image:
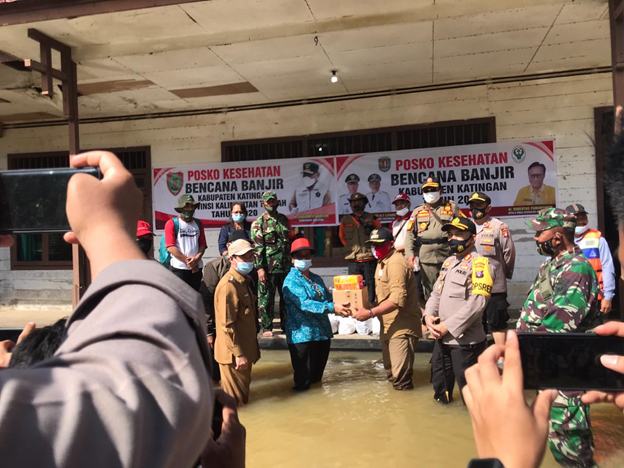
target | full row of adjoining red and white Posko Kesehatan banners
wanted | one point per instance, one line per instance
(519, 177)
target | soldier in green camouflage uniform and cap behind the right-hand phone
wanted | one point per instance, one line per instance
(562, 300)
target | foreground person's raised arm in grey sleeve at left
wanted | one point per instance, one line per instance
(130, 375)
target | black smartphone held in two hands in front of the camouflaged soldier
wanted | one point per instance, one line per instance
(569, 361)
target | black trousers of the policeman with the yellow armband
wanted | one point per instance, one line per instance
(449, 363)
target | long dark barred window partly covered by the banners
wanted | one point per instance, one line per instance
(325, 240)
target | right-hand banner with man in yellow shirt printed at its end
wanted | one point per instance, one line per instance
(501, 170)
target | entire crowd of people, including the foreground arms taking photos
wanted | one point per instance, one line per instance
(124, 382)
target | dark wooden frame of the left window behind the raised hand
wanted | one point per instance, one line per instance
(46, 265)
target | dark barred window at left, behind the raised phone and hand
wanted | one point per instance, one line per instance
(48, 251)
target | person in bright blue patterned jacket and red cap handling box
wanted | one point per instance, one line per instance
(308, 331)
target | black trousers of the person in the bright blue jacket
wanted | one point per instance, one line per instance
(308, 360)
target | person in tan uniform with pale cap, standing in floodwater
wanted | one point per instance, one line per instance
(236, 345)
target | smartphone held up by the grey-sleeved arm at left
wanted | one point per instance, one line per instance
(33, 200)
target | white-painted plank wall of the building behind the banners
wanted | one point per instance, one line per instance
(560, 108)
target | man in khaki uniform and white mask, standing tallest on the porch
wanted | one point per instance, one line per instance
(424, 239)
